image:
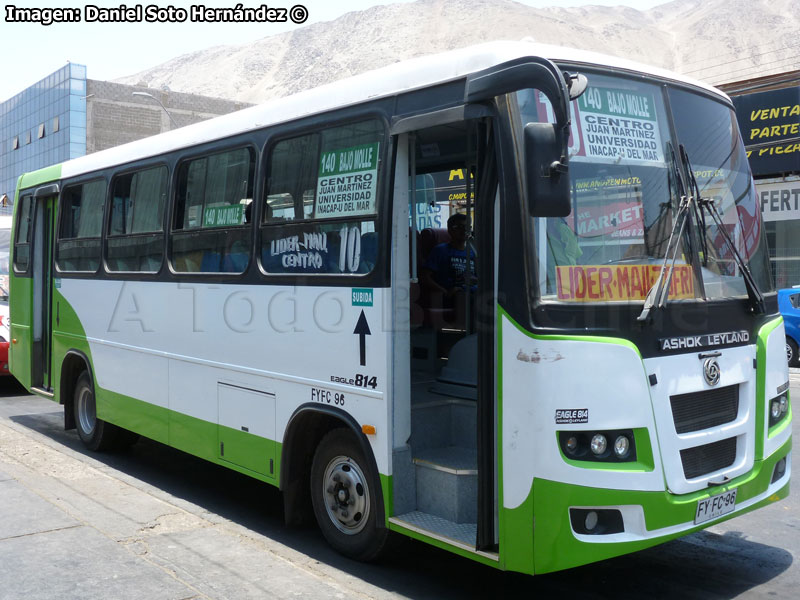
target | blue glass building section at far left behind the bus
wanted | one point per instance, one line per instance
(43, 125)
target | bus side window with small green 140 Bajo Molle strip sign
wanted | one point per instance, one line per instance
(211, 231)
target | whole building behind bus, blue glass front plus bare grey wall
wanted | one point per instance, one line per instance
(66, 115)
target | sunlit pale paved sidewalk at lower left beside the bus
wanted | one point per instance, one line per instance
(72, 526)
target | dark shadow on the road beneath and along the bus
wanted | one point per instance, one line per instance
(703, 565)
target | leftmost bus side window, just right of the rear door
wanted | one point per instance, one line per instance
(78, 245)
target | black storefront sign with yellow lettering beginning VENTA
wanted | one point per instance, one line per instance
(770, 126)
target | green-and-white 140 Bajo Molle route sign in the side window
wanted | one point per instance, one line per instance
(347, 182)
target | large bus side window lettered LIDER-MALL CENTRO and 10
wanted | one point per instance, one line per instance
(321, 202)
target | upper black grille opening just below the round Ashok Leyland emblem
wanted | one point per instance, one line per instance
(708, 408)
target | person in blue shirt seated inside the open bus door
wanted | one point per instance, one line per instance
(444, 269)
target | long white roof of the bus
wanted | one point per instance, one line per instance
(384, 82)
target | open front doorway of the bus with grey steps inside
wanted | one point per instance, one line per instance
(445, 405)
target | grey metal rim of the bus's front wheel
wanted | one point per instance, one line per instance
(346, 495)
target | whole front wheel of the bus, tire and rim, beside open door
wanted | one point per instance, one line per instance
(346, 497)
